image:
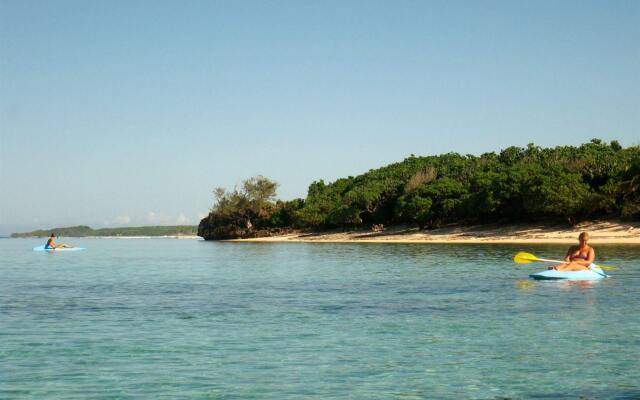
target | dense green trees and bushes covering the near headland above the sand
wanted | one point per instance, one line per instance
(565, 183)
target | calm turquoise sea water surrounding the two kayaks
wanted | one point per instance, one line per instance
(162, 318)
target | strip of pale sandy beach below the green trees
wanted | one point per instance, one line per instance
(602, 232)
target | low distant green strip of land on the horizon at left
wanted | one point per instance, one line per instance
(86, 231)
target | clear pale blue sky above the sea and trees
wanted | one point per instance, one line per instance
(127, 113)
